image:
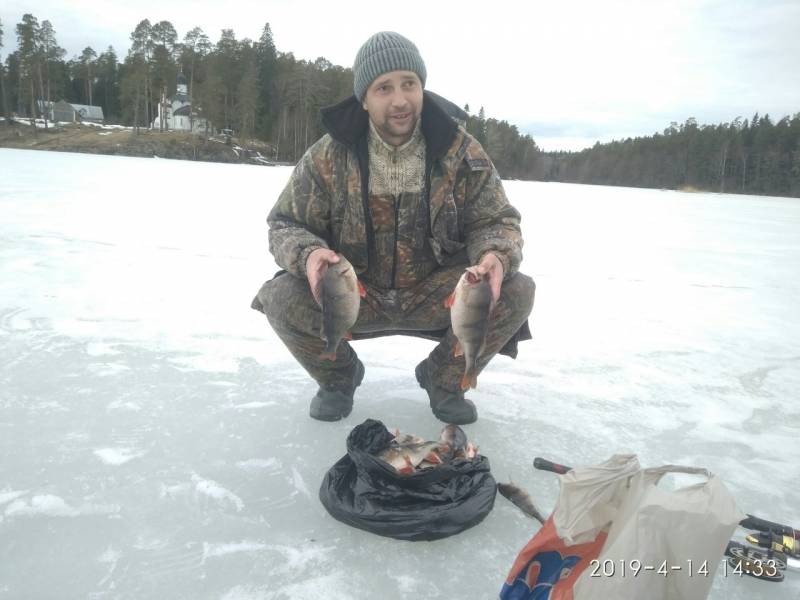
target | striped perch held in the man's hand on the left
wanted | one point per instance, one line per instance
(340, 295)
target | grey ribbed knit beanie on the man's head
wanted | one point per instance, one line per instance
(384, 52)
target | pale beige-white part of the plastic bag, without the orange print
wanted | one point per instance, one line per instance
(661, 544)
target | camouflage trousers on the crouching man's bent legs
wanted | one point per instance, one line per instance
(296, 318)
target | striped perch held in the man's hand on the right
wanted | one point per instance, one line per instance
(471, 305)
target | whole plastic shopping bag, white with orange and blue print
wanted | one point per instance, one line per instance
(615, 533)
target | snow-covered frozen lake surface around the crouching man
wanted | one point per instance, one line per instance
(154, 432)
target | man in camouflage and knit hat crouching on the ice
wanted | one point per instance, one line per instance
(411, 200)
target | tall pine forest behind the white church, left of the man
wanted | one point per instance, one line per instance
(244, 85)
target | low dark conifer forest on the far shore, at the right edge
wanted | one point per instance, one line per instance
(755, 156)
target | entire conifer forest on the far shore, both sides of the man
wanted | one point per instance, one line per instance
(251, 87)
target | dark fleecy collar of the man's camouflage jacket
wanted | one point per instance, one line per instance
(347, 122)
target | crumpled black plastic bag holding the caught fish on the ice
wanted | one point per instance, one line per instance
(365, 492)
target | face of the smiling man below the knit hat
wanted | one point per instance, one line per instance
(394, 104)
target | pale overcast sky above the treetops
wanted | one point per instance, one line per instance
(569, 73)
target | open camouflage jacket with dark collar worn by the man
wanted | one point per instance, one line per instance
(326, 202)
